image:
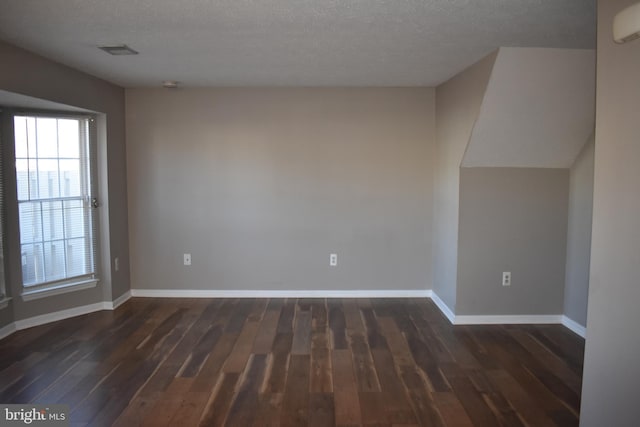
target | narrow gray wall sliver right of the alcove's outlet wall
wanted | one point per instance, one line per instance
(576, 290)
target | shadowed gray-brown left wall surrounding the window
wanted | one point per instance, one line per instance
(28, 74)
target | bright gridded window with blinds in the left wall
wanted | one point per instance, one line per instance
(56, 199)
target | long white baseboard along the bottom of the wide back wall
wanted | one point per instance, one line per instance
(206, 293)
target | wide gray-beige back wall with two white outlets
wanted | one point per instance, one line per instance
(261, 185)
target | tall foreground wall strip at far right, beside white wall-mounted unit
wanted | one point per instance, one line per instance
(611, 368)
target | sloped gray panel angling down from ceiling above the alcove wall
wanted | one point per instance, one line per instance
(538, 110)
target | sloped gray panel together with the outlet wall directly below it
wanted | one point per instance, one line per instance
(536, 115)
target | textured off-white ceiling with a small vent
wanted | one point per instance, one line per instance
(289, 42)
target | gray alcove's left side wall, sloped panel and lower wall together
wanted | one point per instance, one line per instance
(508, 130)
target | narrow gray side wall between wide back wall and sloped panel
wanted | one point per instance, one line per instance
(458, 104)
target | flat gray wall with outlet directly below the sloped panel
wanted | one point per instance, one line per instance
(512, 219)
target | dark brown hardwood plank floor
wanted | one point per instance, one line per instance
(316, 362)
